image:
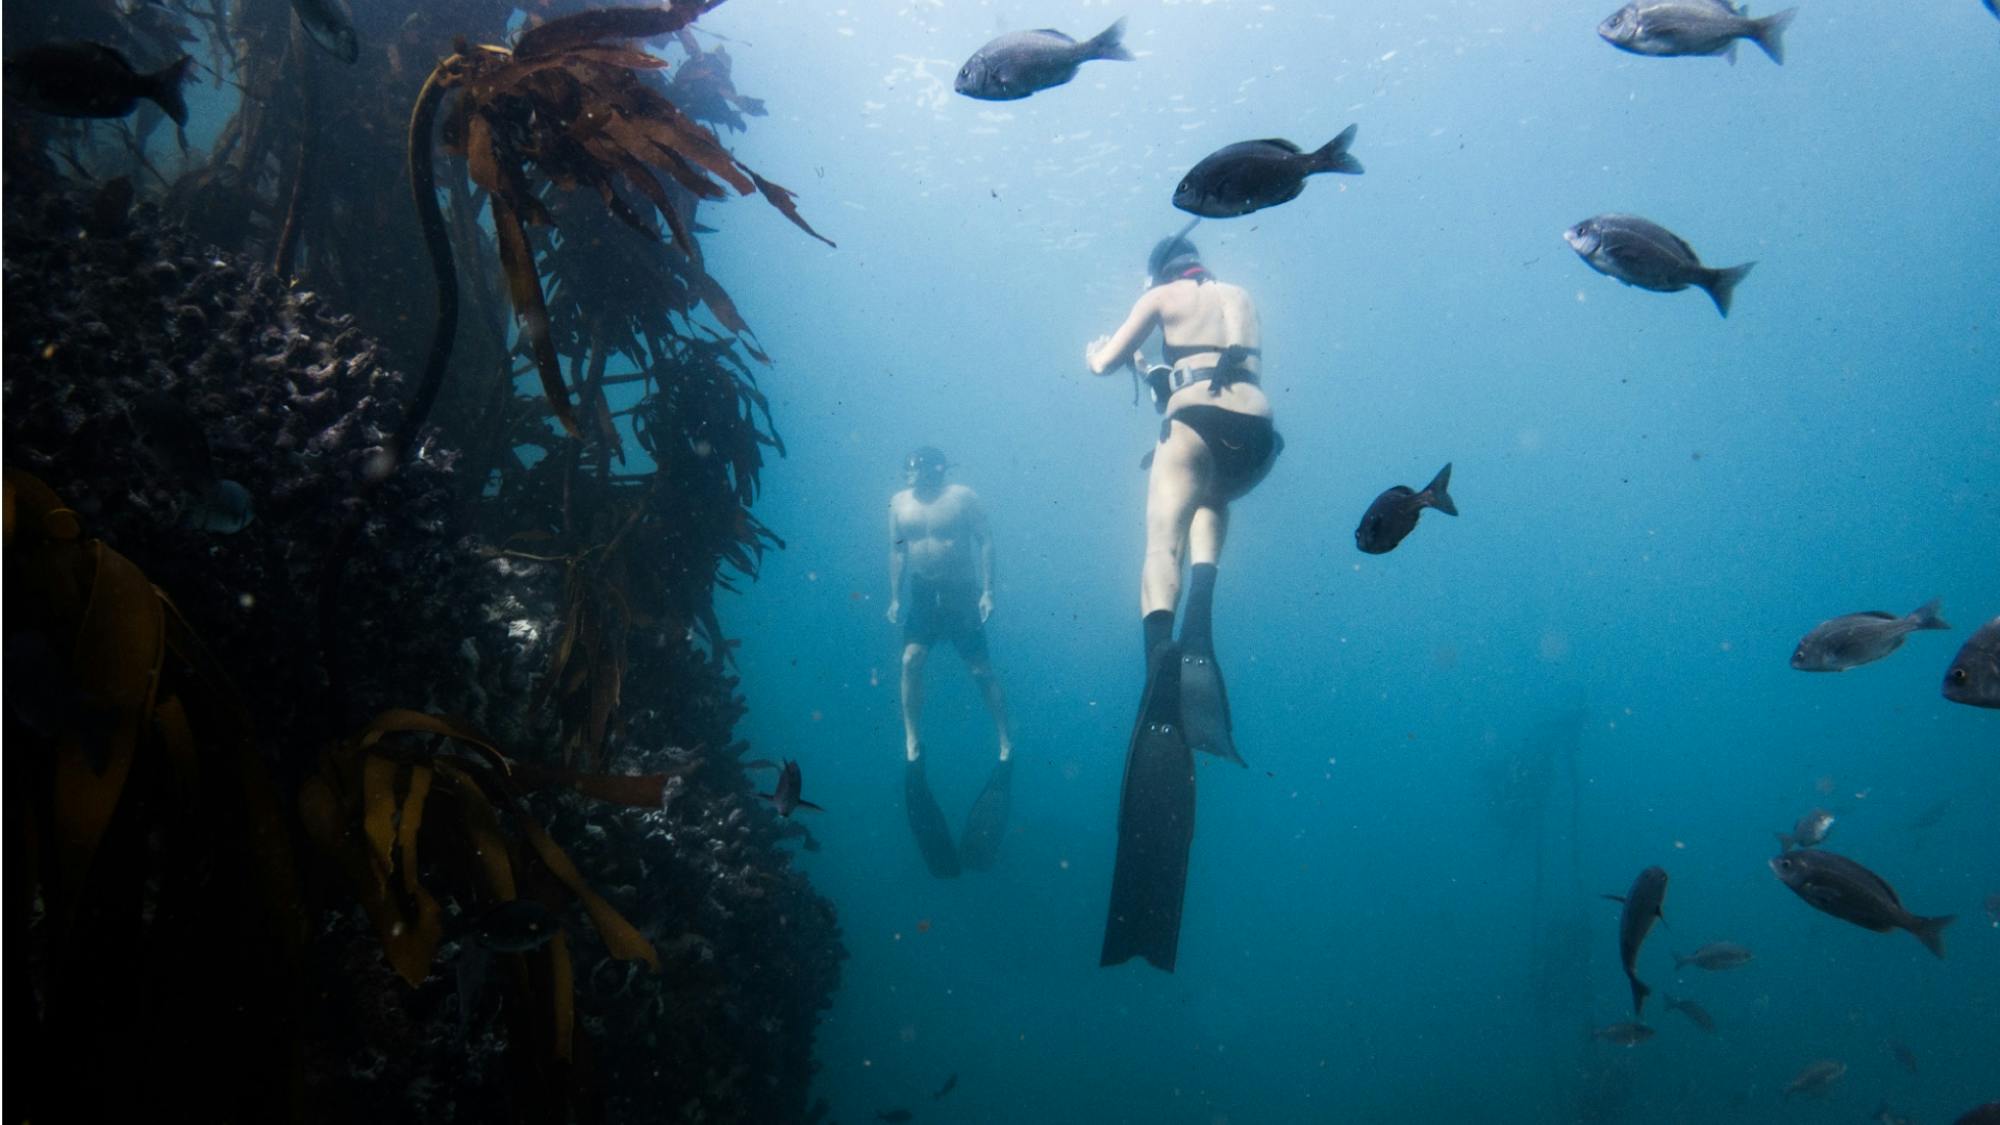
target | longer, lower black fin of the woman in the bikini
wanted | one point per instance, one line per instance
(1155, 828)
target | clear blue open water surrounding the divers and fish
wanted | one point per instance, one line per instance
(1657, 505)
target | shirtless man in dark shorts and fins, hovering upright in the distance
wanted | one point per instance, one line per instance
(941, 588)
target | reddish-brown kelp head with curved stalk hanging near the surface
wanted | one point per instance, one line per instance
(571, 105)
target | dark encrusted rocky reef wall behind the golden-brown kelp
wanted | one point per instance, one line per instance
(217, 425)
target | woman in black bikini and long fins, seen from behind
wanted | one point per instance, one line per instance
(1217, 443)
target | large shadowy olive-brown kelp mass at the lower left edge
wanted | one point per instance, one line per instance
(159, 892)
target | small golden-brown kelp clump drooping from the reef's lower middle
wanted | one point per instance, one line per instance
(367, 810)
